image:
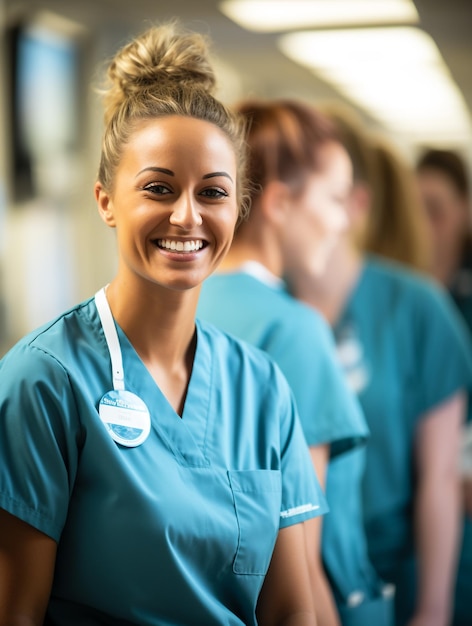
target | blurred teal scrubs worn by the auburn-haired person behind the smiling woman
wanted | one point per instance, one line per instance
(254, 305)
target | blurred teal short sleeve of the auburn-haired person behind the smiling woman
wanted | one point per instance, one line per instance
(329, 412)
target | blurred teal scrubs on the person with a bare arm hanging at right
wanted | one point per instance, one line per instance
(404, 351)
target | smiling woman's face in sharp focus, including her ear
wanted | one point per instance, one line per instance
(174, 201)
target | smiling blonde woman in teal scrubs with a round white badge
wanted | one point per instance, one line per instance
(154, 469)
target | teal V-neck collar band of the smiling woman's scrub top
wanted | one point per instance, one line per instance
(187, 435)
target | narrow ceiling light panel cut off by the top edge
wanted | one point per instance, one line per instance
(275, 15)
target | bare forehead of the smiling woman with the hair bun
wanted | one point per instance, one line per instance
(177, 140)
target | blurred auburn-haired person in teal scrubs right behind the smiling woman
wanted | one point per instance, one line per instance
(300, 178)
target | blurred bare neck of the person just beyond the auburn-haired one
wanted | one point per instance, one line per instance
(329, 292)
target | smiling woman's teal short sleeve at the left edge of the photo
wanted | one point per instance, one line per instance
(39, 439)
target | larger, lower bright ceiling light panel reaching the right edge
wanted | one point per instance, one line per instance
(396, 74)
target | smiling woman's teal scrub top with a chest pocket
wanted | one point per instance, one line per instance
(178, 530)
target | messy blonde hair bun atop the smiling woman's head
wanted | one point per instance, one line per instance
(161, 56)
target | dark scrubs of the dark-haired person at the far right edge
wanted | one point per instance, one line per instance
(461, 292)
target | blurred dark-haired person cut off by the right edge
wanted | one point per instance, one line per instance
(444, 186)
